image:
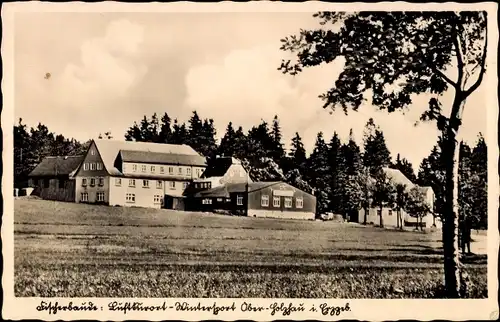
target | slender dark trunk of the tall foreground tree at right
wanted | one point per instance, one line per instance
(450, 224)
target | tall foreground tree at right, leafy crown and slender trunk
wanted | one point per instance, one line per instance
(411, 52)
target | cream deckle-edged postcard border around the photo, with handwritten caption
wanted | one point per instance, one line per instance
(372, 310)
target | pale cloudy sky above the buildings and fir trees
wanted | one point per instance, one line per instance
(108, 70)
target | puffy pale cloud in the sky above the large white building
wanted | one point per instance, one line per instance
(108, 66)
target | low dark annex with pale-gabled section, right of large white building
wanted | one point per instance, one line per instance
(226, 186)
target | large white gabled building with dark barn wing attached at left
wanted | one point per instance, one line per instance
(130, 174)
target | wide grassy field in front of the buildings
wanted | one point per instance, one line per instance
(74, 250)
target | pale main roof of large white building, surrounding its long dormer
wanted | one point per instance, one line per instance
(109, 150)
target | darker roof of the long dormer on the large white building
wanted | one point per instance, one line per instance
(162, 158)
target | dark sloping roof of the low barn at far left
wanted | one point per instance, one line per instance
(57, 166)
